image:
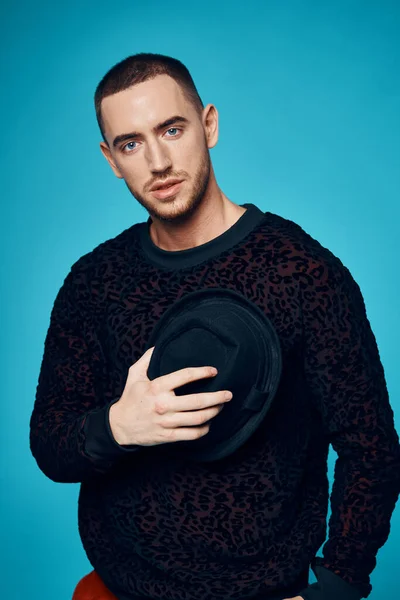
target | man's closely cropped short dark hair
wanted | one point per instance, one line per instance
(141, 67)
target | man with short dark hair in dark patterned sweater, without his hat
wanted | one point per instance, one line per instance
(249, 525)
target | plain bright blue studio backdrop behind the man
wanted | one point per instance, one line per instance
(308, 96)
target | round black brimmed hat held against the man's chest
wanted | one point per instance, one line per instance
(221, 328)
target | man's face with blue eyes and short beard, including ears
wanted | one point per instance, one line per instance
(148, 144)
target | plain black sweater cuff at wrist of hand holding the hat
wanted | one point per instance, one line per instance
(100, 443)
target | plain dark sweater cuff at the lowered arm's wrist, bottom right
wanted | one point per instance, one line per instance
(329, 586)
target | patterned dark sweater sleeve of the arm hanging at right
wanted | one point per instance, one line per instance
(347, 385)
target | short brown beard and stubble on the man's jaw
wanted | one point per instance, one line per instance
(187, 207)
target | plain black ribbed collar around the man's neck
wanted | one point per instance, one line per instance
(179, 259)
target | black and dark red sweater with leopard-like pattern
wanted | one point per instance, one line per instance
(158, 526)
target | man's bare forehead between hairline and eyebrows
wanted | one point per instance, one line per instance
(144, 105)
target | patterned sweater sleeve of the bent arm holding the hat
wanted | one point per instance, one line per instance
(70, 434)
